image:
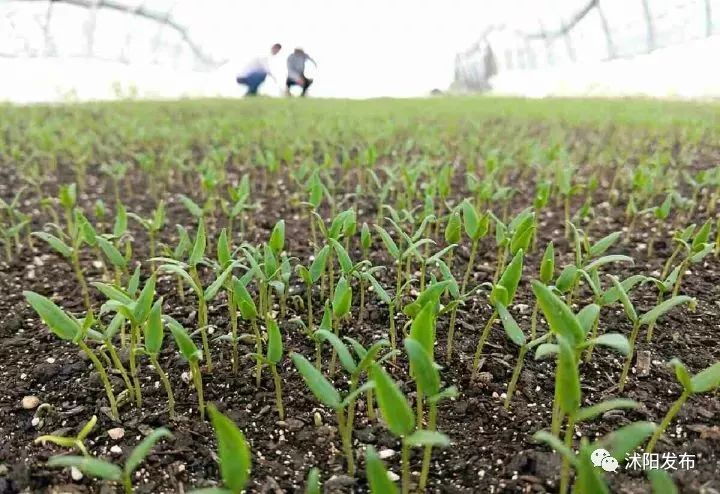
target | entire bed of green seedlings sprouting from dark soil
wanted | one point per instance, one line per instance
(459, 295)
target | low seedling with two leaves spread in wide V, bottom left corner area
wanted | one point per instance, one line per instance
(102, 469)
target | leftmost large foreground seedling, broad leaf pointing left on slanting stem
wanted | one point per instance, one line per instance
(67, 327)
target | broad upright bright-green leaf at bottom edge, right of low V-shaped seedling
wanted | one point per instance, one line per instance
(233, 453)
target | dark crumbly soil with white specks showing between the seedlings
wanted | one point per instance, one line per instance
(492, 449)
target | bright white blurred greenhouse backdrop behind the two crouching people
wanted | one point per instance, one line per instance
(69, 50)
